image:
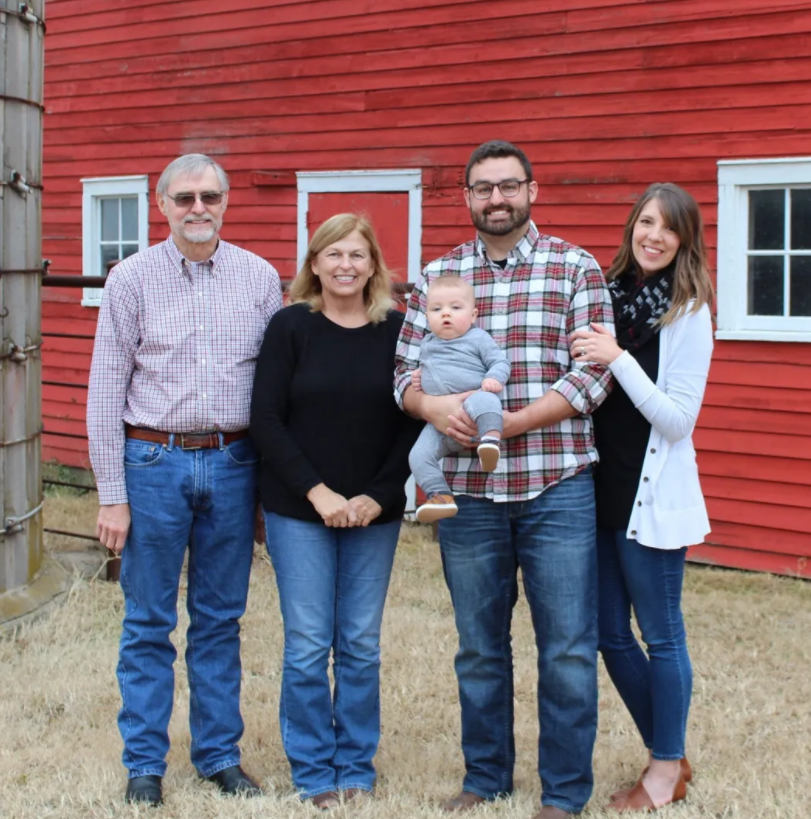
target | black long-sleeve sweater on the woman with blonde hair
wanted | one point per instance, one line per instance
(323, 411)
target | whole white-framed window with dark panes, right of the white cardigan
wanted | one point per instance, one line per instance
(764, 249)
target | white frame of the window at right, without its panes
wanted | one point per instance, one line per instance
(735, 179)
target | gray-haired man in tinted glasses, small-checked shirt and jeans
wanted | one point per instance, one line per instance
(168, 409)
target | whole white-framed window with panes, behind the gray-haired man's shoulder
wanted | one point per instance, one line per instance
(115, 212)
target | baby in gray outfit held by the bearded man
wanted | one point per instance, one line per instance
(456, 357)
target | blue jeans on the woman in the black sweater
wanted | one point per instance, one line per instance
(332, 589)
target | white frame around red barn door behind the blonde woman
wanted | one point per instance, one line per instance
(397, 181)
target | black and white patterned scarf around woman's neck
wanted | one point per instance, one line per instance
(638, 305)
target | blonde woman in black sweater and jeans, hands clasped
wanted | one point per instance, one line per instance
(334, 449)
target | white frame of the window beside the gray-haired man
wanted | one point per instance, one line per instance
(93, 191)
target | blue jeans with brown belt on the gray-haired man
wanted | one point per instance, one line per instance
(205, 500)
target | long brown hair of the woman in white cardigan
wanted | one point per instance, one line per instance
(681, 214)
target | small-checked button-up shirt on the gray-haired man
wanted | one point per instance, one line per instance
(176, 347)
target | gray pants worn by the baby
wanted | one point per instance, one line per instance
(425, 456)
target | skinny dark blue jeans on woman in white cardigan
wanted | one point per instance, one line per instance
(656, 687)
